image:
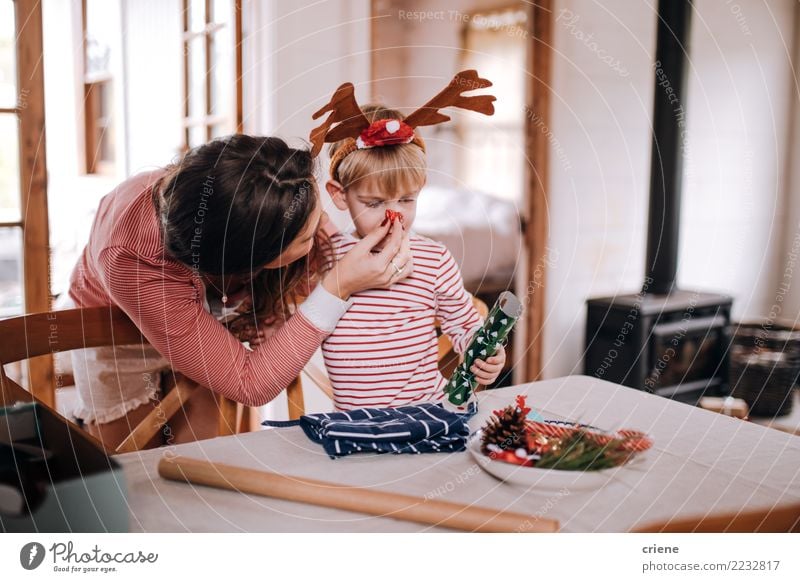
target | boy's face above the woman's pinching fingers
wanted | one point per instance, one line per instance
(367, 204)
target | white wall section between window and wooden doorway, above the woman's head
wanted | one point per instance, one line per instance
(300, 52)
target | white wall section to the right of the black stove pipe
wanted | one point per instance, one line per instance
(734, 215)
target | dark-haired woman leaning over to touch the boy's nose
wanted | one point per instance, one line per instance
(233, 224)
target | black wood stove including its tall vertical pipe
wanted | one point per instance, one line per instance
(665, 340)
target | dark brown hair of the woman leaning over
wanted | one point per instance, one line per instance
(235, 204)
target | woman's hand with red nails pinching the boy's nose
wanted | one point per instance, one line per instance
(360, 269)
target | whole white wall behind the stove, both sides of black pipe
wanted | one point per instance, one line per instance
(734, 190)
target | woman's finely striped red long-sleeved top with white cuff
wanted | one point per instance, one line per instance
(125, 264)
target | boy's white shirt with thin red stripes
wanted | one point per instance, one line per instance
(384, 350)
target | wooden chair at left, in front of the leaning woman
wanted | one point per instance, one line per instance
(41, 334)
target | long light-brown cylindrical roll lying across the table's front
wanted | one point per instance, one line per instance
(358, 499)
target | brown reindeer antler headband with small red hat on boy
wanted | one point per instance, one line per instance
(354, 126)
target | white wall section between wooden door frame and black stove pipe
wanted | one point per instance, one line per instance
(600, 115)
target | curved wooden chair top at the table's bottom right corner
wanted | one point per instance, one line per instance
(775, 520)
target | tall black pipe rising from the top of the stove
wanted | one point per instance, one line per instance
(666, 166)
